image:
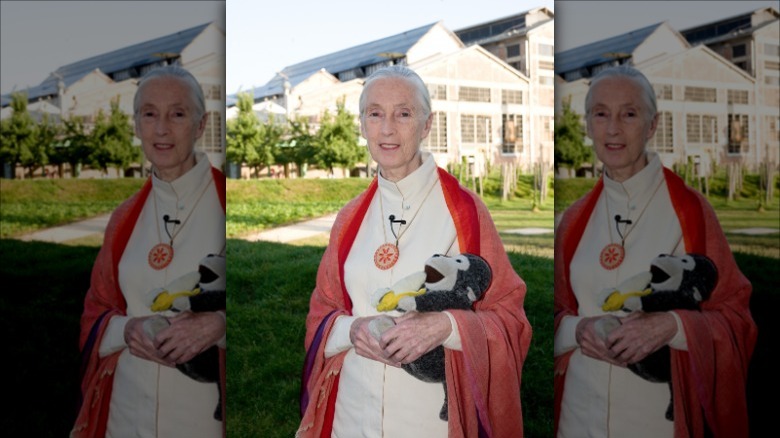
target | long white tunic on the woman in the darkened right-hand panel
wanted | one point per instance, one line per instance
(602, 400)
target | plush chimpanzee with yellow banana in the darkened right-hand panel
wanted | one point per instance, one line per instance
(673, 282)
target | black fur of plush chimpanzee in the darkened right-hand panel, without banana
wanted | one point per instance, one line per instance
(693, 278)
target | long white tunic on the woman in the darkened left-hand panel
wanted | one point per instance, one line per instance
(150, 400)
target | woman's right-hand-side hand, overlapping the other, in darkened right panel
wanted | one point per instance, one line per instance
(641, 334)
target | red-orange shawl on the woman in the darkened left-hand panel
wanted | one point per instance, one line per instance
(104, 299)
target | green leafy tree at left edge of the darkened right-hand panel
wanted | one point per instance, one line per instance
(570, 149)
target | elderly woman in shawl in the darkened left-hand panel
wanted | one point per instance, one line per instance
(130, 385)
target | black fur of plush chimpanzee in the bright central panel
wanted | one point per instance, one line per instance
(468, 287)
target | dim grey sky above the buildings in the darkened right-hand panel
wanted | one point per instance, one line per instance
(578, 23)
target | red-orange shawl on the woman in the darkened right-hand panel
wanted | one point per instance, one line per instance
(709, 379)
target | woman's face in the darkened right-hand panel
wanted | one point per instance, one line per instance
(620, 125)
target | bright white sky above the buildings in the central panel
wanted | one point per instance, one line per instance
(266, 36)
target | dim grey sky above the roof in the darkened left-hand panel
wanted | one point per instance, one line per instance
(37, 37)
